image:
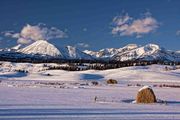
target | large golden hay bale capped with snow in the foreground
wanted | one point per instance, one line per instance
(146, 95)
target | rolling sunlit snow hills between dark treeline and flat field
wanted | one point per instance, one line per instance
(152, 73)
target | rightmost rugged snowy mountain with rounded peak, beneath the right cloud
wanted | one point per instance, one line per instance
(147, 52)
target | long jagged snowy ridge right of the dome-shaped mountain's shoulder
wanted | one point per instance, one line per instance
(135, 52)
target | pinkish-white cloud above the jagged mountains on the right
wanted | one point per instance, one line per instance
(125, 25)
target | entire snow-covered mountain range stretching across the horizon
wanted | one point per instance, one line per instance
(129, 52)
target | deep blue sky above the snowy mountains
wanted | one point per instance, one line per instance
(89, 23)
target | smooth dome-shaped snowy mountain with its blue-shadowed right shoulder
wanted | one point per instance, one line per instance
(44, 48)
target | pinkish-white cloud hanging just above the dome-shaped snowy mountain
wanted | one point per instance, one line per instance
(31, 33)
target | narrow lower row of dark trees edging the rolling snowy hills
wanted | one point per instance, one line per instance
(77, 66)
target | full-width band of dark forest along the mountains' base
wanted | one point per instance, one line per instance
(75, 65)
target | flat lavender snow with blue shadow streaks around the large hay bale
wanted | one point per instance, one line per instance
(78, 103)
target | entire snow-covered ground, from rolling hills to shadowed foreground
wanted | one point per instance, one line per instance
(71, 95)
